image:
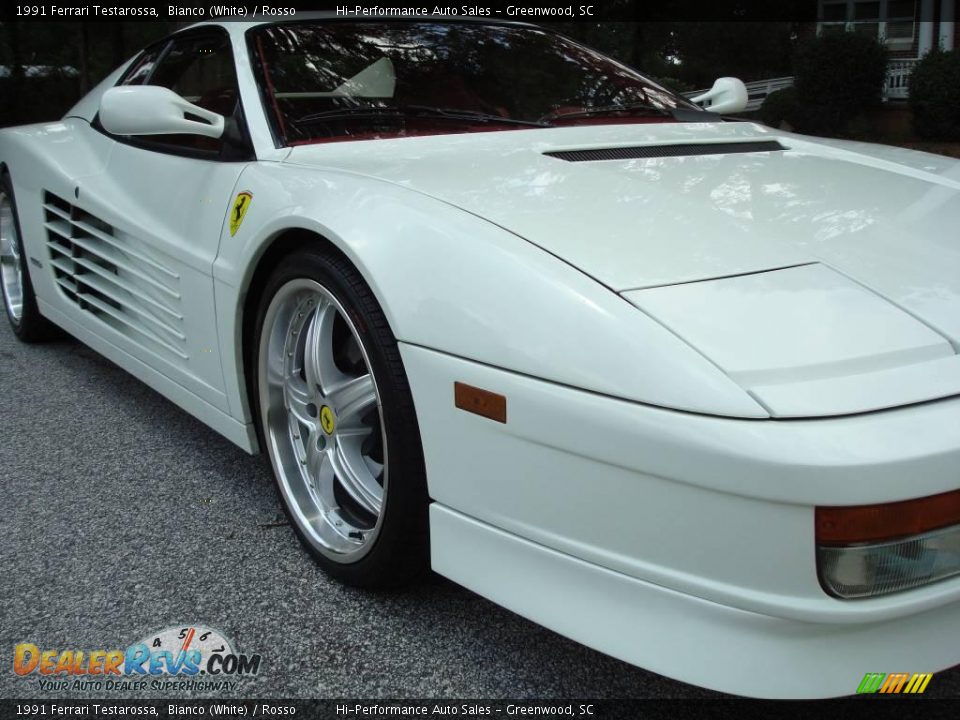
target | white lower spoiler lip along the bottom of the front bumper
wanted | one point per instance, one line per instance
(679, 635)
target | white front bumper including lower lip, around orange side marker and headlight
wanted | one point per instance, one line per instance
(713, 516)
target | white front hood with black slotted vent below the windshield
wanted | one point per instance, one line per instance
(706, 201)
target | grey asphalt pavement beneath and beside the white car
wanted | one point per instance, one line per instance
(122, 515)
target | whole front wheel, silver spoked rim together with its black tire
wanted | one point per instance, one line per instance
(337, 421)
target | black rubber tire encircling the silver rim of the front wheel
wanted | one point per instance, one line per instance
(400, 550)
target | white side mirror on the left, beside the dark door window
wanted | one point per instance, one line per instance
(155, 110)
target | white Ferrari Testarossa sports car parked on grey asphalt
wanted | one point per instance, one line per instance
(682, 388)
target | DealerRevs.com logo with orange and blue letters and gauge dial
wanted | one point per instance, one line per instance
(187, 657)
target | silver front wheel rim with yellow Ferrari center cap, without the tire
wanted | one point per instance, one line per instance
(323, 420)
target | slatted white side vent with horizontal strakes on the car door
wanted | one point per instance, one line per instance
(114, 277)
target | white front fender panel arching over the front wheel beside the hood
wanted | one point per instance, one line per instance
(453, 282)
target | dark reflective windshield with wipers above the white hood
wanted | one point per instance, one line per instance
(357, 80)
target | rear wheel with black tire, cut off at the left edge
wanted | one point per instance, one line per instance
(18, 298)
